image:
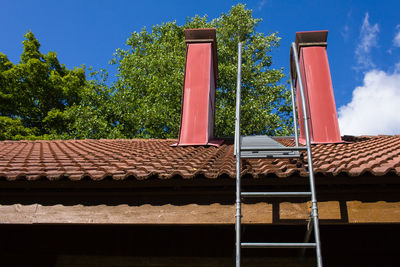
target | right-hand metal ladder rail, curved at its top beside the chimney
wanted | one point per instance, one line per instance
(314, 207)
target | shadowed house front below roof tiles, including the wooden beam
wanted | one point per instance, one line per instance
(191, 223)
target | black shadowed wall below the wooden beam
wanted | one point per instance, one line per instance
(202, 245)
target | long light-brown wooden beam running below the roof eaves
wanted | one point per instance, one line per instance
(331, 212)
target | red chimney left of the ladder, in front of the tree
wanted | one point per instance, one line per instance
(198, 99)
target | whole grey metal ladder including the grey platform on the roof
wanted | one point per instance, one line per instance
(266, 147)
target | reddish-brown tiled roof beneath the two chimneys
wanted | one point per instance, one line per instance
(141, 159)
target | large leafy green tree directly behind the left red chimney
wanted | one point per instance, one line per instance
(151, 70)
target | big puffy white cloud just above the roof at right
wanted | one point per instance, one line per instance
(375, 106)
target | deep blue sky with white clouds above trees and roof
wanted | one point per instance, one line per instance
(363, 42)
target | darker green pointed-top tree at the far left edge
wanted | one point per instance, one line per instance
(36, 92)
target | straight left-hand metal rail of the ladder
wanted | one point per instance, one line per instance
(237, 153)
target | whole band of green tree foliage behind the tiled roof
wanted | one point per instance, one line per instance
(41, 98)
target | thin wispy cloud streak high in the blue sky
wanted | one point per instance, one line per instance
(368, 40)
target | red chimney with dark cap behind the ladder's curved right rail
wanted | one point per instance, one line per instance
(317, 84)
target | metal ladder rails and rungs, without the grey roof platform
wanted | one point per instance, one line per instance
(237, 152)
